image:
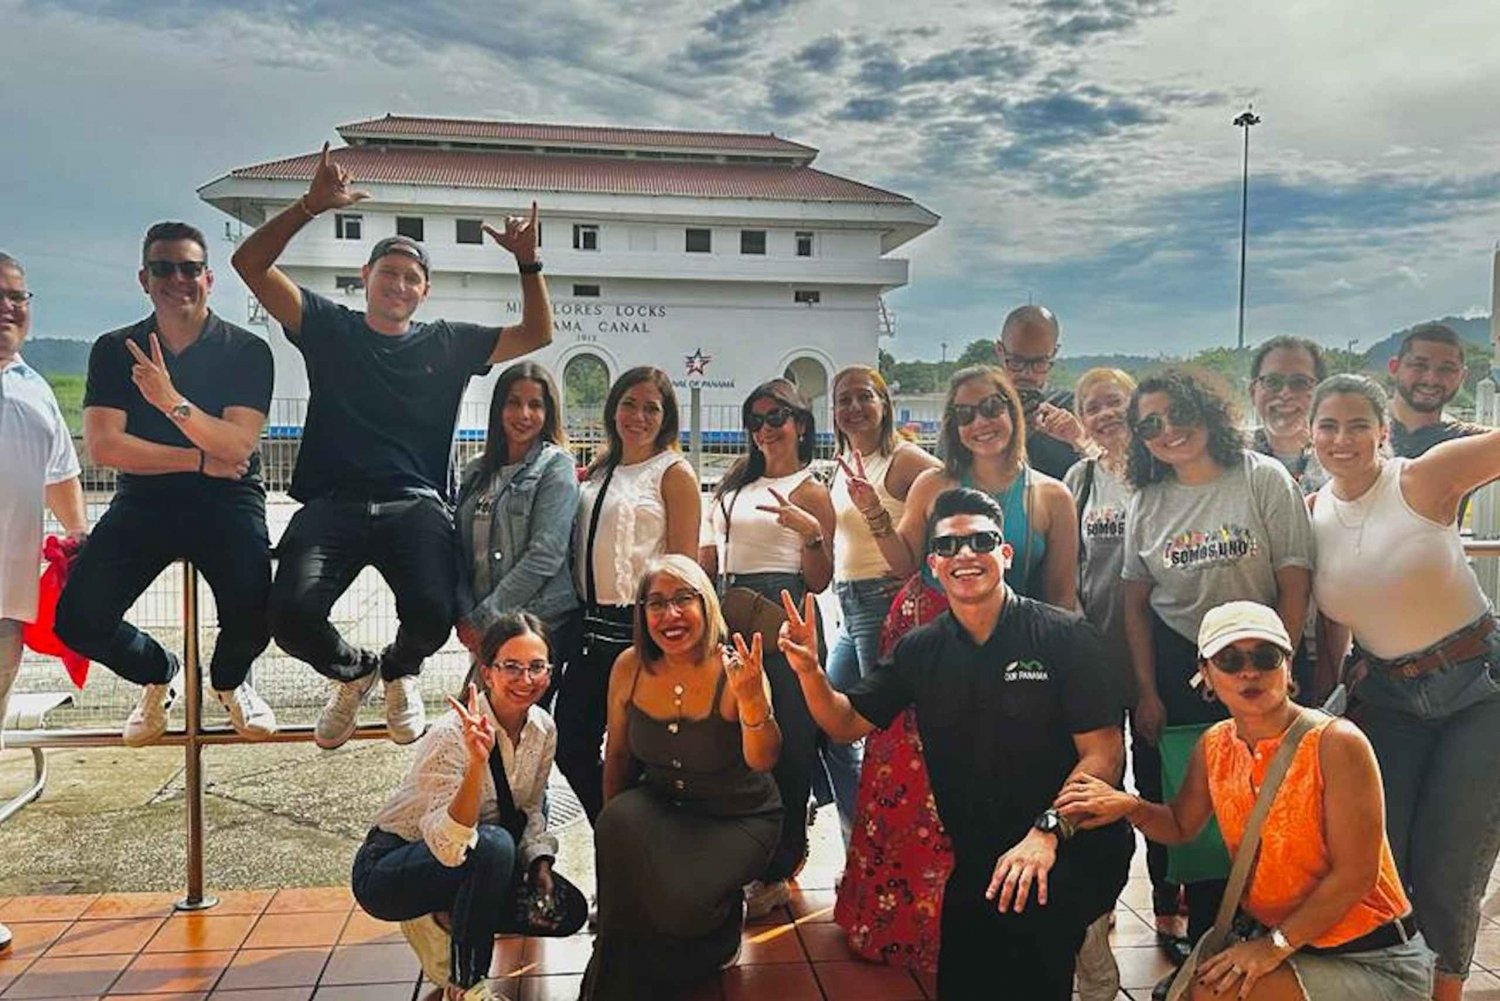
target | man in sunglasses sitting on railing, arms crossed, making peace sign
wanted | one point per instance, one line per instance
(176, 404)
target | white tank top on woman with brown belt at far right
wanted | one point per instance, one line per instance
(1400, 582)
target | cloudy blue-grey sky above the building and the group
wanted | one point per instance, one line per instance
(1079, 152)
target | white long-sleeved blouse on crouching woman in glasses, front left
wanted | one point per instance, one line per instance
(419, 808)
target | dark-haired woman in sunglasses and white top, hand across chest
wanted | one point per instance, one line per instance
(772, 528)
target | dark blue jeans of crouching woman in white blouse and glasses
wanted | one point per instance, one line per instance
(397, 880)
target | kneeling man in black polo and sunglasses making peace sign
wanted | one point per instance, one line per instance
(1013, 697)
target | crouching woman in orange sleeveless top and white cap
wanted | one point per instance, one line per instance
(1331, 921)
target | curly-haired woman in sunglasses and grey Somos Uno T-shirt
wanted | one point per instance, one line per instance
(1211, 522)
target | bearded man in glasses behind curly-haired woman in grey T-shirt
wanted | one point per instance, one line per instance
(1283, 374)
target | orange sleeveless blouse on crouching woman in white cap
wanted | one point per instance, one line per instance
(1294, 852)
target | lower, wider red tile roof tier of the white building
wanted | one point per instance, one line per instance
(605, 175)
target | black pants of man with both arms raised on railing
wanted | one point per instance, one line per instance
(410, 541)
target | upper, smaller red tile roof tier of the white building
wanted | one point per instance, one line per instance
(569, 134)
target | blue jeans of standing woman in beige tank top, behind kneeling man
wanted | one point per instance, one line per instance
(853, 657)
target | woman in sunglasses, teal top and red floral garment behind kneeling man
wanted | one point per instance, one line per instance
(890, 898)
